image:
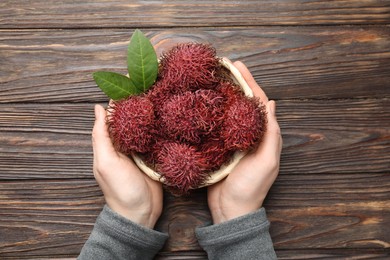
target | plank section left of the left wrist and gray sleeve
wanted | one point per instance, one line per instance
(41, 218)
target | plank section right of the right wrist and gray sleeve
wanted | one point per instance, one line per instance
(332, 206)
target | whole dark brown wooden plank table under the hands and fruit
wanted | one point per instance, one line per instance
(326, 63)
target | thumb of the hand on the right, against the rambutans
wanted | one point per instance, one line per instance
(272, 140)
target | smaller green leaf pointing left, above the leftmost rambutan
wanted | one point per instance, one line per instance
(114, 85)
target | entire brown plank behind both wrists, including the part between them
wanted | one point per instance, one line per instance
(53, 218)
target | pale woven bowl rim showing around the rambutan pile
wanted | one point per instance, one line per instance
(220, 174)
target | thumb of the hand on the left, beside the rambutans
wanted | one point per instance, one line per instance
(101, 141)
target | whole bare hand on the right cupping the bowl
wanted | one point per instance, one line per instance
(246, 187)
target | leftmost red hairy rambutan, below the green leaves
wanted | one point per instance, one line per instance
(131, 124)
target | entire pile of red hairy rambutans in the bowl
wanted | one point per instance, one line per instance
(191, 121)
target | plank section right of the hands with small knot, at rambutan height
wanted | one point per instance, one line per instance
(335, 136)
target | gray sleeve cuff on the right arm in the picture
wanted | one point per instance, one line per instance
(245, 237)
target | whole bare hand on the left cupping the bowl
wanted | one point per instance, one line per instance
(127, 190)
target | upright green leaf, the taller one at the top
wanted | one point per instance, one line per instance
(142, 63)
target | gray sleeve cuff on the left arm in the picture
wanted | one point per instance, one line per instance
(115, 237)
